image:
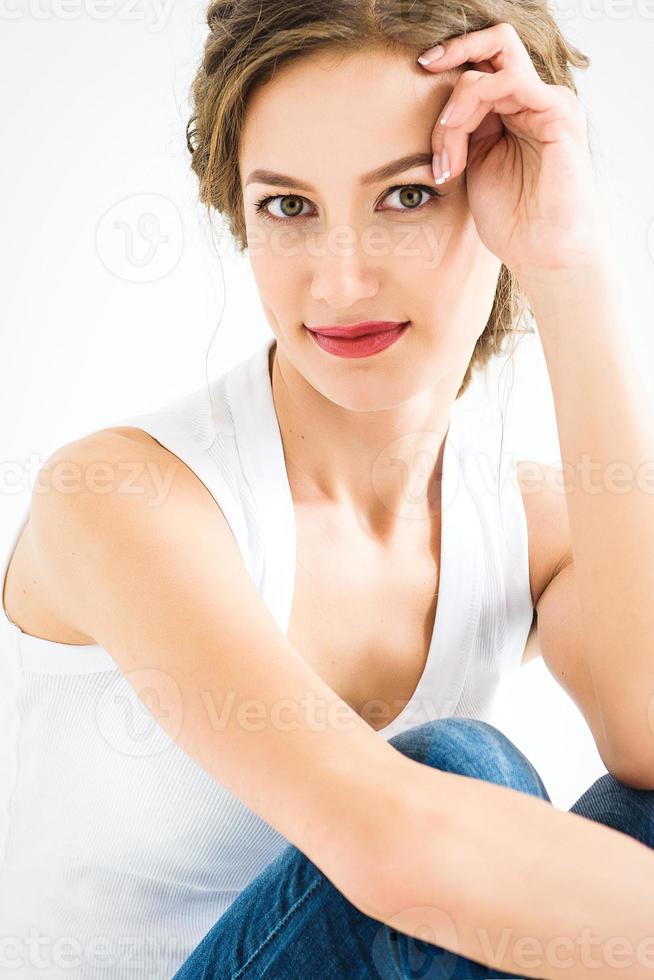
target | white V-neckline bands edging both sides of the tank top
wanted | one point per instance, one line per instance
(260, 448)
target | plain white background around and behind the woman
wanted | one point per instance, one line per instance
(97, 325)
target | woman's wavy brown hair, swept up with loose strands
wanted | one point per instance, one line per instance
(249, 39)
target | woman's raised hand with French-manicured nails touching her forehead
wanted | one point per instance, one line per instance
(523, 144)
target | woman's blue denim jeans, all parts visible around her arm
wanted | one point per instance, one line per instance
(292, 923)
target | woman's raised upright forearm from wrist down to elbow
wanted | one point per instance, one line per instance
(606, 434)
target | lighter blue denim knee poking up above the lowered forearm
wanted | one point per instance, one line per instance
(471, 747)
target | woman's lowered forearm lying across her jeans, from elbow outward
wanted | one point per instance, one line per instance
(507, 879)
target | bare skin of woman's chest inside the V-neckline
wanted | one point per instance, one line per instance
(363, 613)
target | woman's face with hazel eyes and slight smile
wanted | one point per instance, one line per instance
(338, 249)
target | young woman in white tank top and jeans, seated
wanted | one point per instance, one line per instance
(312, 558)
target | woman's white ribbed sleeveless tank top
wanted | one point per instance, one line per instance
(119, 851)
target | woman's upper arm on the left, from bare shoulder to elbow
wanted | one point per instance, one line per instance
(160, 583)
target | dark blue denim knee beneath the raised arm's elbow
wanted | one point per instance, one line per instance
(621, 807)
